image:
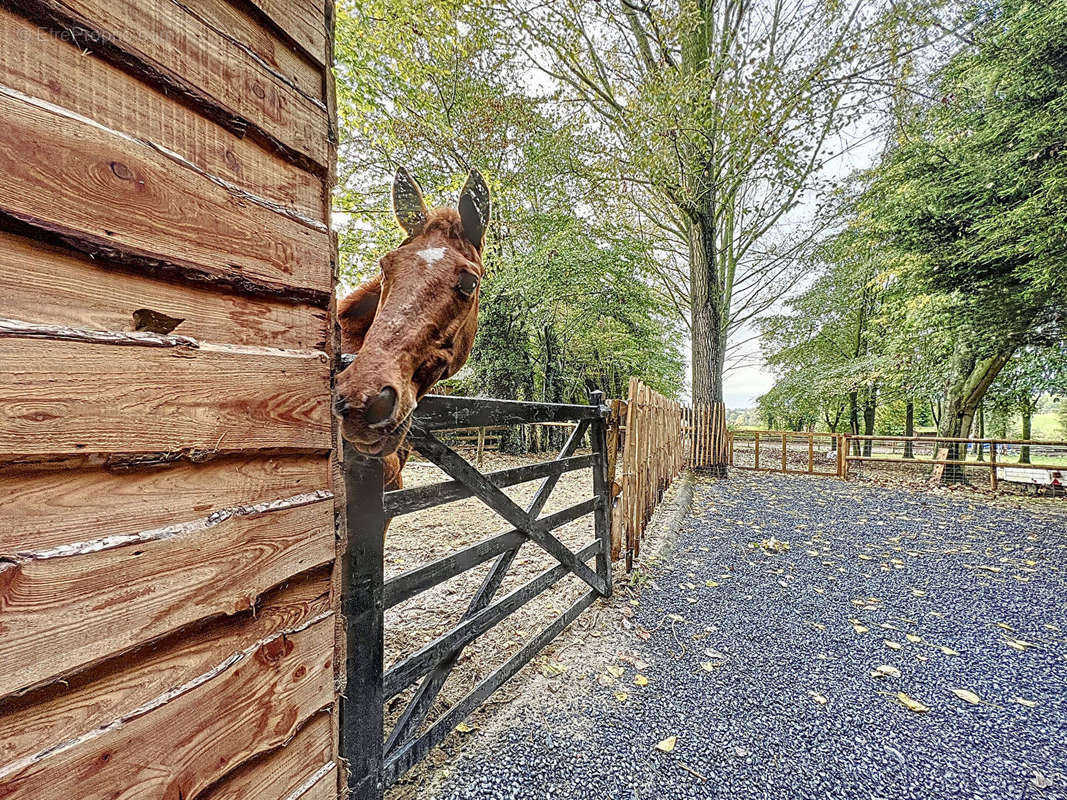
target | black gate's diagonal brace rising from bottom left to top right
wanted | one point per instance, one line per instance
(420, 706)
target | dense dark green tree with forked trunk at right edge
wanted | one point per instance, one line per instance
(976, 196)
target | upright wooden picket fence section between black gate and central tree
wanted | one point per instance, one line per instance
(652, 456)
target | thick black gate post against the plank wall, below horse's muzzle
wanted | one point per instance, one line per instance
(362, 579)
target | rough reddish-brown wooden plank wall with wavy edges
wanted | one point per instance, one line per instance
(168, 593)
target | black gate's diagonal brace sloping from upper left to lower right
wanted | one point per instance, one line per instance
(453, 463)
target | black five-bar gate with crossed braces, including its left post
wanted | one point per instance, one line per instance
(376, 761)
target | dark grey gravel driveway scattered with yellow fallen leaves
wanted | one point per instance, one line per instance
(760, 663)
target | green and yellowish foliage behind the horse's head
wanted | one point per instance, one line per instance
(569, 300)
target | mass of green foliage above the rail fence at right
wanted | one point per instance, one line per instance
(963, 229)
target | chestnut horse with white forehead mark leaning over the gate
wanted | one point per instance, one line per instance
(415, 324)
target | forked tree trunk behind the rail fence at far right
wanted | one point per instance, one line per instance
(970, 378)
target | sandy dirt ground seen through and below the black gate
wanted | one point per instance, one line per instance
(417, 539)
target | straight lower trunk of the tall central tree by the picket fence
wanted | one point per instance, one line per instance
(709, 334)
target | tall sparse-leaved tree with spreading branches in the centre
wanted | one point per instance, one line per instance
(719, 120)
